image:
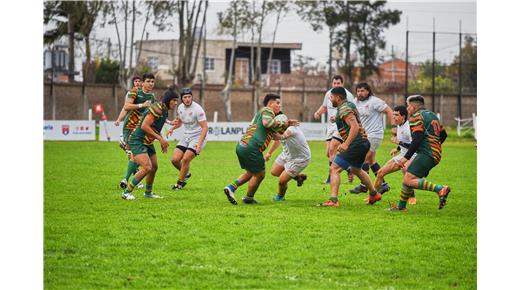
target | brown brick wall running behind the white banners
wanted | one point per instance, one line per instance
(69, 102)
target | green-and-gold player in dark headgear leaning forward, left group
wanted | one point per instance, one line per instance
(141, 142)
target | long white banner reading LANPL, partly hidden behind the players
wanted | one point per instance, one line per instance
(219, 131)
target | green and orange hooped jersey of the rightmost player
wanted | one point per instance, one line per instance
(427, 122)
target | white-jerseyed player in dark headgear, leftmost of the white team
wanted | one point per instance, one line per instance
(193, 117)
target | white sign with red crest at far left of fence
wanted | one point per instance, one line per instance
(69, 130)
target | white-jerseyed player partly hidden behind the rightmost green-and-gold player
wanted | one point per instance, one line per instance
(403, 138)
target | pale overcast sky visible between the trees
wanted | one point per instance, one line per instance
(416, 16)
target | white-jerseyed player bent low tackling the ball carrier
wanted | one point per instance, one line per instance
(295, 157)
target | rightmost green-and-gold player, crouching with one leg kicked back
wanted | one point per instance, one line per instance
(427, 136)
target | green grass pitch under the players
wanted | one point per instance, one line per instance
(196, 239)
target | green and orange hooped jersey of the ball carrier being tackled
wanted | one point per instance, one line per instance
(257, 135)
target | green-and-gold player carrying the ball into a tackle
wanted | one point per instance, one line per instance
(254, 141)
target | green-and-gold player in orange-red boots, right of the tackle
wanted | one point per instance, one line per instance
(352, 151)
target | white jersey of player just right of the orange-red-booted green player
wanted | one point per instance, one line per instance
(371, 116)
